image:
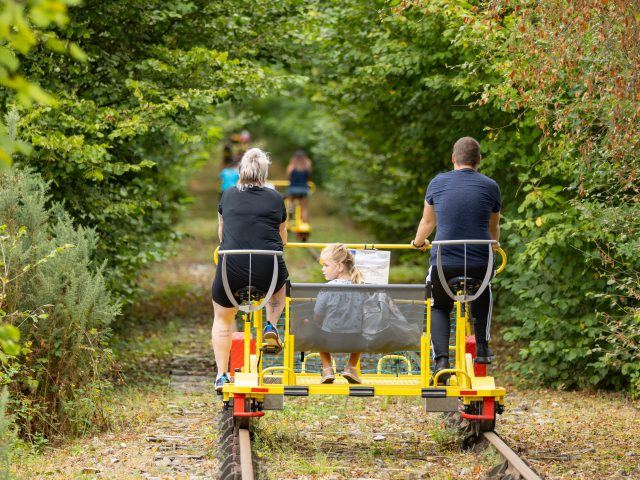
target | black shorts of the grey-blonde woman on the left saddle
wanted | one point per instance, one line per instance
(238, 277)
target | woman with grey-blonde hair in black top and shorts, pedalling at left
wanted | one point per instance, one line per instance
(251, 216)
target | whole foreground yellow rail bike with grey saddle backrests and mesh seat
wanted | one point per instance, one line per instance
(396, 330)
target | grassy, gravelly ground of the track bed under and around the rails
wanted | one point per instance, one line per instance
(165, 428)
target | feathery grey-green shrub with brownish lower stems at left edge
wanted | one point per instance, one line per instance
(56, 297)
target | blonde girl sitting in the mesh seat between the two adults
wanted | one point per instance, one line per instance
(336, 309)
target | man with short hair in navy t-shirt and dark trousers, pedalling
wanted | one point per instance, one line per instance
(461, 204)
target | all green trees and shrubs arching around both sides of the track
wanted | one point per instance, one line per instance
(108, 107)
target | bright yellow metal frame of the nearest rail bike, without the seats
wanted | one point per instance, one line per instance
(470, 390)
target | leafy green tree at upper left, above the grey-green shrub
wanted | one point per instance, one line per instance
(131, 120)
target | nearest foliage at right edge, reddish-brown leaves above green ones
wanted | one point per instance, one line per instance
(573, 68)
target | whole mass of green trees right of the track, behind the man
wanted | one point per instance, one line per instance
(549, 91)
